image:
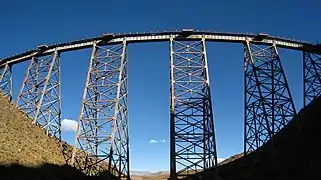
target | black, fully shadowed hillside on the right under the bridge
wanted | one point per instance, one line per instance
(297, 153)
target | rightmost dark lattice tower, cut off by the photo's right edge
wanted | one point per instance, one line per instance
(312, 78)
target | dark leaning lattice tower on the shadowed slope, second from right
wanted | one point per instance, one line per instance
(268, 102)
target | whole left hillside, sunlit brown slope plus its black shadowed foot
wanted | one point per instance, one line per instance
(26, 152)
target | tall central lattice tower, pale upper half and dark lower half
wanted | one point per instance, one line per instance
(192, 139)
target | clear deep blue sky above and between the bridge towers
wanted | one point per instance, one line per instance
(25, 24)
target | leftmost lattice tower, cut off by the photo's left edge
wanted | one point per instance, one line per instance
(6, 80)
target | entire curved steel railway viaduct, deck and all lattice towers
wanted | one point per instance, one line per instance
(102, 132)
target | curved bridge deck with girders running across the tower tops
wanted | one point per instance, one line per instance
(165, 36)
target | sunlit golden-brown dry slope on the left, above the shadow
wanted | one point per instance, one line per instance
(24, 143)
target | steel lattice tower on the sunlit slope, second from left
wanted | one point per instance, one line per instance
(39, 95)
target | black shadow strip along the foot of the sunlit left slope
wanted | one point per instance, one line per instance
(47, 172)
